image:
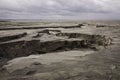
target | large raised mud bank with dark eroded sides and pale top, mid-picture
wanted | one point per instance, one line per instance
(49, 42)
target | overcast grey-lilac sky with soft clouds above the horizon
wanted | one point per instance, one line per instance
(60, 9)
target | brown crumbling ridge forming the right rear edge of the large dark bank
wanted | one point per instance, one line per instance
(90, 39)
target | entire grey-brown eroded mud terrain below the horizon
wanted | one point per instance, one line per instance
(60, 50)
